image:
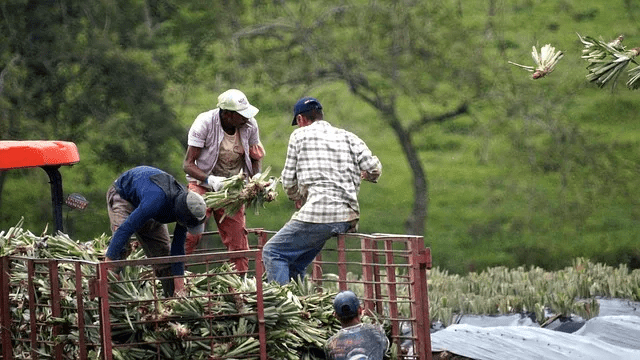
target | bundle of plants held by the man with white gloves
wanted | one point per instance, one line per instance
(239, 190)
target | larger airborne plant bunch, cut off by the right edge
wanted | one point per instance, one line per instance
(608, 60)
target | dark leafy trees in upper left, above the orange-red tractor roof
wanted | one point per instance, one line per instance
(74, 76)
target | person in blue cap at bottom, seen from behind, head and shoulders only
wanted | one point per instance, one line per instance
(356, 340)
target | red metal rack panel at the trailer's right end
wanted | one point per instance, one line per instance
(392, 287)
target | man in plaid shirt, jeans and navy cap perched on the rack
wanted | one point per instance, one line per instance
(322, 175)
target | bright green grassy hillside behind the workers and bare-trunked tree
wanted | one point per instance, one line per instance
(539, 172)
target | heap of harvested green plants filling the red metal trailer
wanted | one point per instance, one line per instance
(216, 320)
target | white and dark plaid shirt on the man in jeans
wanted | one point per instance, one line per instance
(323, 169)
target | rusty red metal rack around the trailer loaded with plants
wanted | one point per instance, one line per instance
(76, 314)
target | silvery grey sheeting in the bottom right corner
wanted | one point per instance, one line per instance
(615, 334)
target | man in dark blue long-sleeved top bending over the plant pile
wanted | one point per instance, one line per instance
(143, 200)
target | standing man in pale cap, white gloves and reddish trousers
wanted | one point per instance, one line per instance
(222, 142)
